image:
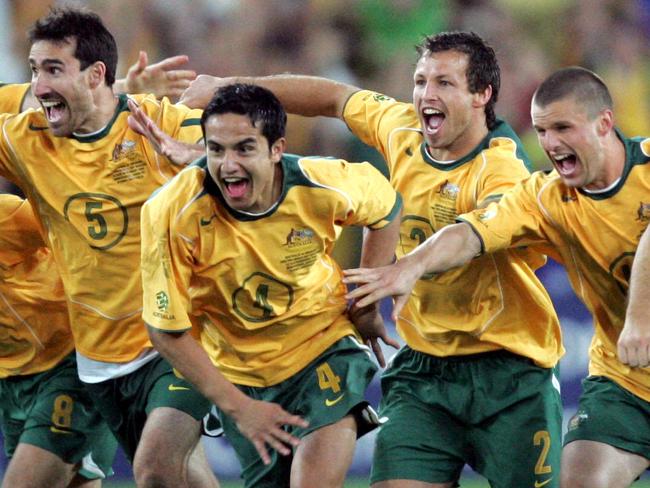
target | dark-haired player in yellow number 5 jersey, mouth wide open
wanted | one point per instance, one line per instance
(87, 175)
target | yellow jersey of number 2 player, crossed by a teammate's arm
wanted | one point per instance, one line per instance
(494, 302)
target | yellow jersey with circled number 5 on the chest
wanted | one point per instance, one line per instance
(87, 192)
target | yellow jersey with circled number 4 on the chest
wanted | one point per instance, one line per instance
(262, 289)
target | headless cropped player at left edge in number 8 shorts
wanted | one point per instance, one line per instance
(53, 436)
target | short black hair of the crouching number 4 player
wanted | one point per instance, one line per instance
(257, 103)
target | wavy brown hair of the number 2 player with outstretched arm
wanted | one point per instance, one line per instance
(482, 69)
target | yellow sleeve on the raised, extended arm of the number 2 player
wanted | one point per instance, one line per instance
(372, 116)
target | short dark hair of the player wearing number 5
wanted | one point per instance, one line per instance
(93, 41)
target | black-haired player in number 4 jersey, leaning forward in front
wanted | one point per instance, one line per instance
(239, 246)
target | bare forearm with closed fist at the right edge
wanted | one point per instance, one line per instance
(634, 341)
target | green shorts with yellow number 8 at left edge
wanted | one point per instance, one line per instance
(52, 410)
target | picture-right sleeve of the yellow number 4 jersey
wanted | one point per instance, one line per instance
(368, 198)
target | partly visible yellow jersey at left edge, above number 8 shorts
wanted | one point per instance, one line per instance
(34, 330)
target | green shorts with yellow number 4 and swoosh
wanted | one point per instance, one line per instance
(329, 388)
